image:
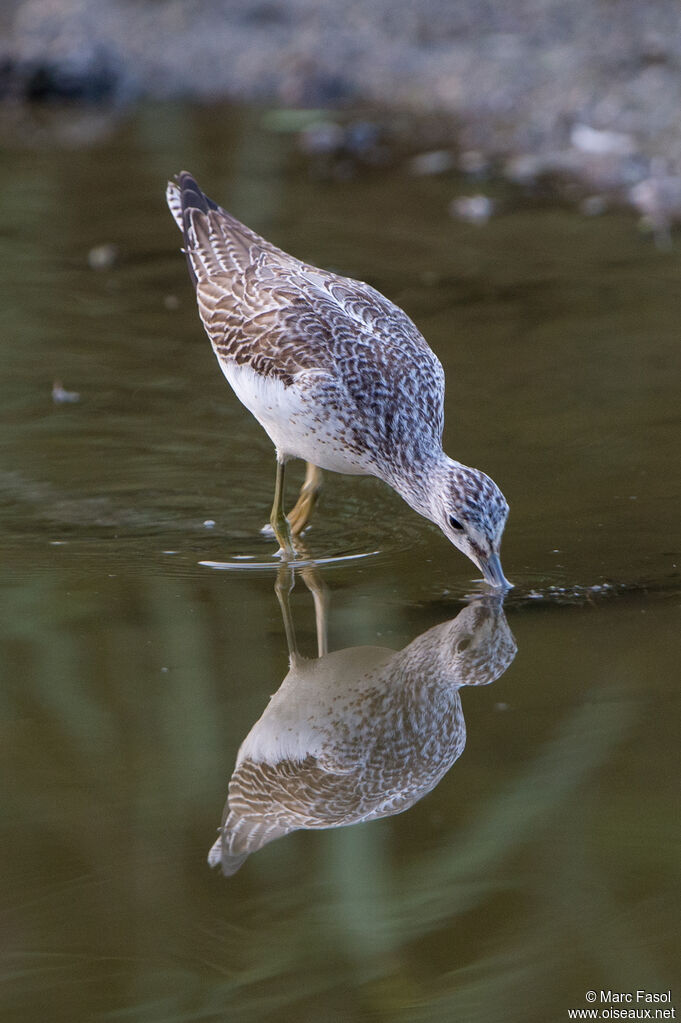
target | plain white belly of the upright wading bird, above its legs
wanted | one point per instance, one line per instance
(299, 426)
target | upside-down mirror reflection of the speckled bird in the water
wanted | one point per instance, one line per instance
(359, 734)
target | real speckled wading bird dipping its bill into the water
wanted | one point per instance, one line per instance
(336, 374)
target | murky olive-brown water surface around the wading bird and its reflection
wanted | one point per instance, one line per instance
(546, 862)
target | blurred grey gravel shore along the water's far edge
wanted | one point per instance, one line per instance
(591, 90)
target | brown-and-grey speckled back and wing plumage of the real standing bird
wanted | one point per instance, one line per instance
(358, 360)
